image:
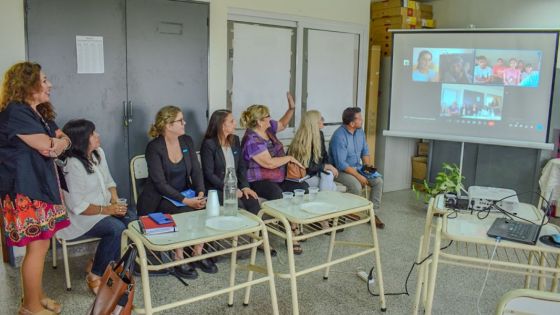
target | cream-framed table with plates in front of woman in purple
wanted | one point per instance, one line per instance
(354, 210)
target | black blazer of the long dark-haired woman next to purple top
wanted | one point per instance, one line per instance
(214, 164)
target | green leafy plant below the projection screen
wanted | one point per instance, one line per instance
(448, 180)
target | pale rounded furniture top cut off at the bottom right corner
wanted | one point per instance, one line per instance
(529, 302)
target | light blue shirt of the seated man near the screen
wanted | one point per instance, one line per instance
(347, 149)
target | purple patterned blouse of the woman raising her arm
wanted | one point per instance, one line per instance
(254, 144)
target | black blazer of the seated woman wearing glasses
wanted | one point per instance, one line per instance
(159, 167)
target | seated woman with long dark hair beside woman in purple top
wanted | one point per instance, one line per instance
(220, 150)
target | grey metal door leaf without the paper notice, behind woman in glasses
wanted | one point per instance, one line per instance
(167, 64)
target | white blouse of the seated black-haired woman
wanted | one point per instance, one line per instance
(85, 189)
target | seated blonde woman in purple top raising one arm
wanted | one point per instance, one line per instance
(264, 153)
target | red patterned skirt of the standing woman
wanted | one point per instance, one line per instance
(27, 220)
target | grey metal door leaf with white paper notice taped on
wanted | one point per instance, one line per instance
(52, 27)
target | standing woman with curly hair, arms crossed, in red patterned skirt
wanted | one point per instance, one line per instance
(31, 201)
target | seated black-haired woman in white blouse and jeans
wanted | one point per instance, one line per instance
(92, 198)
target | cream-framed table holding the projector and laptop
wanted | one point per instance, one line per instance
(473, 248)
